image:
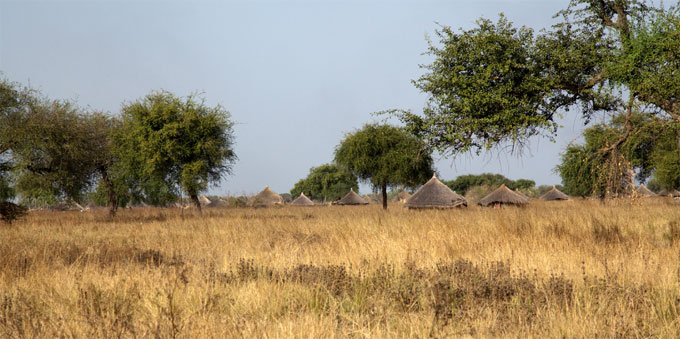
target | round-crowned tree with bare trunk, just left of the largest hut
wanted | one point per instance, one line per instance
(385, 156)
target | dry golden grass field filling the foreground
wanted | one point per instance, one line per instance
(573, 269)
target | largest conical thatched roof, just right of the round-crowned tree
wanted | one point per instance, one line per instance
(434, 194)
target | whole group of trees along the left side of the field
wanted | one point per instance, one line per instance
(159, 147)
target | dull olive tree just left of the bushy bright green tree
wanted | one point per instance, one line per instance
(55, 152)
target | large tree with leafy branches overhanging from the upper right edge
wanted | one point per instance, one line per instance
(498, 85)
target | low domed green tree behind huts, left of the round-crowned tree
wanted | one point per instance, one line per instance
(327, 182)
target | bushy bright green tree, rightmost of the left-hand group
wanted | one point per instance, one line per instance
(168, 144)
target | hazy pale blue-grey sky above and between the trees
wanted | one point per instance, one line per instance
(296, 76)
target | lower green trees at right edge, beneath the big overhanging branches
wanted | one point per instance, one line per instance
(651, 149)
